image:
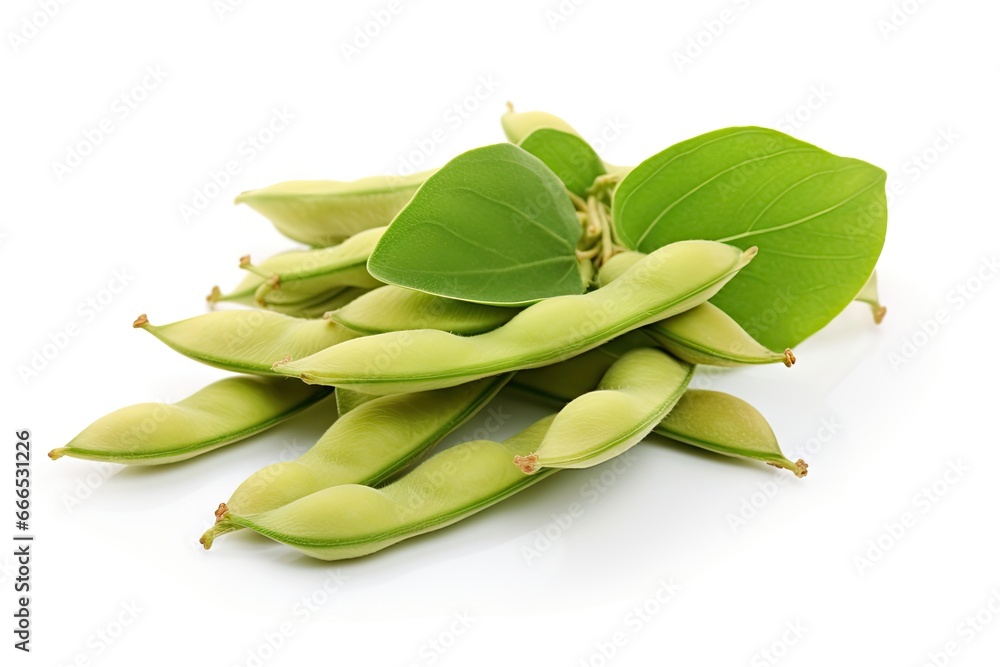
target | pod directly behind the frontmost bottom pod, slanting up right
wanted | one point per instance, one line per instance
(367, 446)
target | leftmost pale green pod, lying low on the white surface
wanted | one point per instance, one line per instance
(220, 414)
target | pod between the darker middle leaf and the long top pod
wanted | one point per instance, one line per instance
(392, 308)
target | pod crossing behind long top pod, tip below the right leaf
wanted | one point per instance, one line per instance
(703, 335)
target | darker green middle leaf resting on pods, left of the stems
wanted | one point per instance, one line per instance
(493, 226)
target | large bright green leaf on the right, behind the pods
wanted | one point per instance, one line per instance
(817, 219)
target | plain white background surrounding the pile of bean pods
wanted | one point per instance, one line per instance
(876, 430)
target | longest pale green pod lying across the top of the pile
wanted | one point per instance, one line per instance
(673, 279)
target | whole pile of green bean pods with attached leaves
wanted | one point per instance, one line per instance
(515, 267)
